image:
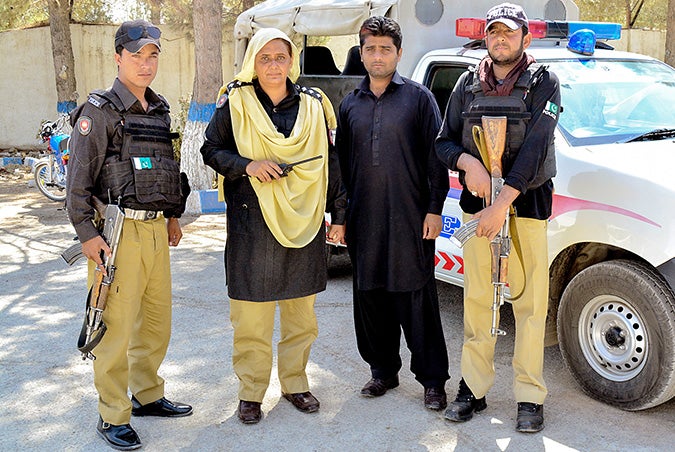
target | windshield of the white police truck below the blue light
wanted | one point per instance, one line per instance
(609, 101)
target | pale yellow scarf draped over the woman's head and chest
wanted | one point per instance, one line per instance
(293, 207)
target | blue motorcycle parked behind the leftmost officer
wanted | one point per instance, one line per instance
(50, 172)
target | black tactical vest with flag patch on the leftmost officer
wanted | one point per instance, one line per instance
(144, 174)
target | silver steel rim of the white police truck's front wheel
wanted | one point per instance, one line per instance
(613, 338)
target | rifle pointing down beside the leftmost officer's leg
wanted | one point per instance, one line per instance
(93, 328)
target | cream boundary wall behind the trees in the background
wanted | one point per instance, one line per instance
(28, 91)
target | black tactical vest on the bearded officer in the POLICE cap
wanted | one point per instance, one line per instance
(516, 107)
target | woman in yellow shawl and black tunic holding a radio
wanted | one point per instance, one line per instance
(275, 252)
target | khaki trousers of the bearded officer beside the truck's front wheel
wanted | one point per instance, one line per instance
(527, 276)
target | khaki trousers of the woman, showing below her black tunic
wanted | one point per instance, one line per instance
(253, 324)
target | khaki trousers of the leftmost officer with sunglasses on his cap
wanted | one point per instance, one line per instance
(138, 317)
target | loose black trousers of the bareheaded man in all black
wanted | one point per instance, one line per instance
(379, 317)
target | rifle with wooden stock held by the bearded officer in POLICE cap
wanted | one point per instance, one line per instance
(491, 140)
